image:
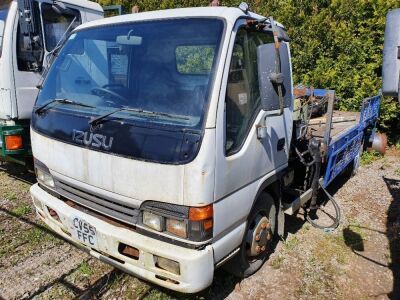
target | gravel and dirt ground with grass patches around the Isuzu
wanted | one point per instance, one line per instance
(359, 260)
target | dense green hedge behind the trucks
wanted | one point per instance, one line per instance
(336, 44)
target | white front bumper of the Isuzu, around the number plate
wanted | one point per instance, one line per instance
(196, 266)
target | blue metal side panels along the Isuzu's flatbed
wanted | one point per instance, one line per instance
(343, 150)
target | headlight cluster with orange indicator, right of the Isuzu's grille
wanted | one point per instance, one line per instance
(193, 223)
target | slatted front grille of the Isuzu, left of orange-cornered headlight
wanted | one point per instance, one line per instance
(111, 207)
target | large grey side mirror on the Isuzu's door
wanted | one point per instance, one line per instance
(269, 79)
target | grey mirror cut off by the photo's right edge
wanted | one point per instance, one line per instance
(391, 55)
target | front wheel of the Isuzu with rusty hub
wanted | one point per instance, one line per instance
(247, 262)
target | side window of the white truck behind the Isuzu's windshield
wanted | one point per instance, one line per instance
(56, 24)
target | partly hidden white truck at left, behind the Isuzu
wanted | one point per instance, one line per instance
(30, 33)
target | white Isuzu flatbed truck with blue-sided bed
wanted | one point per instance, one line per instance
(185, 146)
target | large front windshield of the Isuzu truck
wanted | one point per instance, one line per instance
(162, 67)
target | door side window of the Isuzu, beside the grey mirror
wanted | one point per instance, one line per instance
(243, 93)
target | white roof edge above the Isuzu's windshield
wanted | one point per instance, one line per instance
(230, 14)
